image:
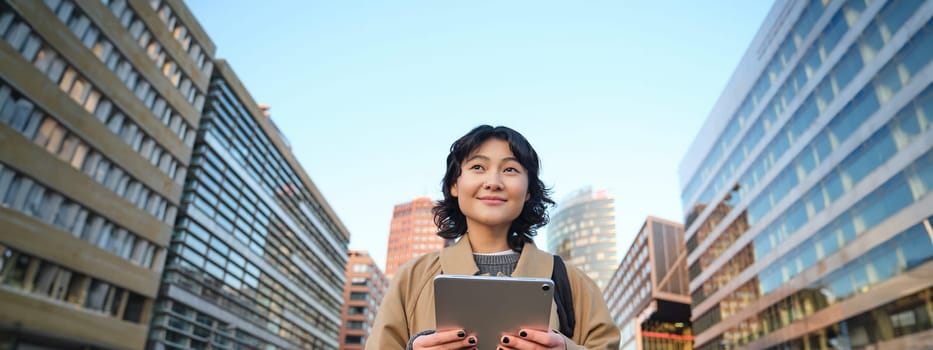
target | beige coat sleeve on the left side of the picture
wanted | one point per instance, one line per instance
(390, 329)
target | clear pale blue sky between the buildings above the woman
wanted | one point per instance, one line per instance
(372, 94)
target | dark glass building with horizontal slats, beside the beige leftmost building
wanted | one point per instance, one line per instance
(258, 257)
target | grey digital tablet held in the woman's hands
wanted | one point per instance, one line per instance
(489, 306)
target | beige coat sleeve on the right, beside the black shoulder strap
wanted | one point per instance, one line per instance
(595, 328)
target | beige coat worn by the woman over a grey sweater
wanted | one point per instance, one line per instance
(408, 306)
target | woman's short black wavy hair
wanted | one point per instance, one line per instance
(450, 220)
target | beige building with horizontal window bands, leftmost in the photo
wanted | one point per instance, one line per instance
(99, 102)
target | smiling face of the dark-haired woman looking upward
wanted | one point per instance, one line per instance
(493, 186)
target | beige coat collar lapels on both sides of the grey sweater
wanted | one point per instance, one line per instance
(458, 260)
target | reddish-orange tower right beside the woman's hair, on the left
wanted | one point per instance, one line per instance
(412, 233)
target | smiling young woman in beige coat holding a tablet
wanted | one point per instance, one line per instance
(493, 202)
